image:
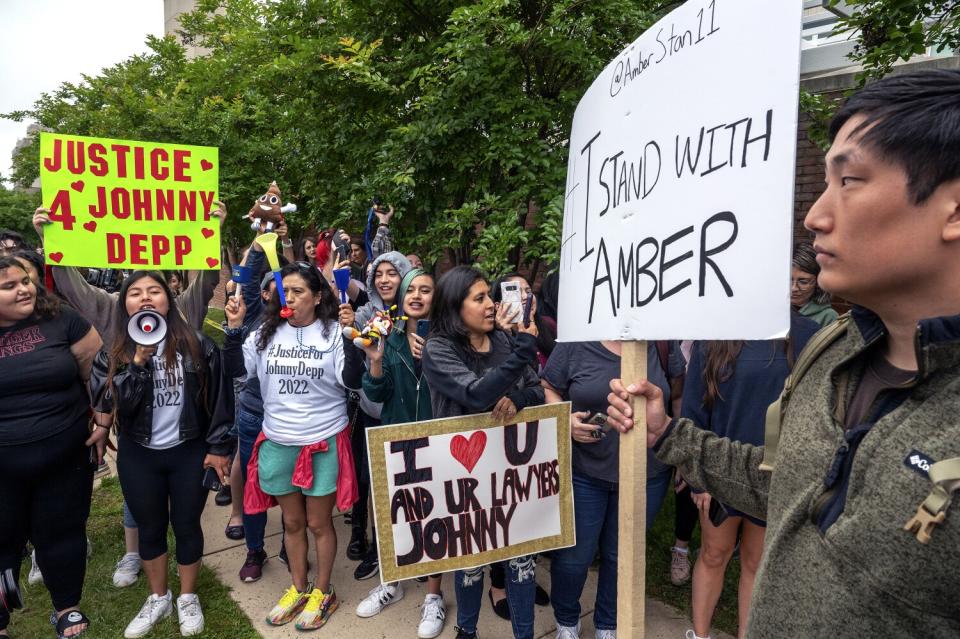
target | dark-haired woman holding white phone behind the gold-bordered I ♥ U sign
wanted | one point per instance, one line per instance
(472, 368)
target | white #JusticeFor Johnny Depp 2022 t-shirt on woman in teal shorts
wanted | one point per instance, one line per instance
(301, 381)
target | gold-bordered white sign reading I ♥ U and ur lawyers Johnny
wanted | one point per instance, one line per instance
(457, 493)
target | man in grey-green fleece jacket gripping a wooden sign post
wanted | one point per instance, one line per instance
(861, 540)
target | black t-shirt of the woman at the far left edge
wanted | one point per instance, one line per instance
(42, 390)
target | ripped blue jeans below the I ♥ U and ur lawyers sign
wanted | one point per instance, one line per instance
(521, 592)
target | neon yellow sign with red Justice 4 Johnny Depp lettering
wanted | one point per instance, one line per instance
(128, 204)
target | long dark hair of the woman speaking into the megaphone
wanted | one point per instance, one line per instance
(180, 338)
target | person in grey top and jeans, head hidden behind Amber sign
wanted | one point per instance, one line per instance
(580, 372)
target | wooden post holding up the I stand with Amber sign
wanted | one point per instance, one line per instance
(632, 513)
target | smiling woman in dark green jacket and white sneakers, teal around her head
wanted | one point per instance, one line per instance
(396, 380)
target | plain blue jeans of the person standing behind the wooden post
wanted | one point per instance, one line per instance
(595, 518)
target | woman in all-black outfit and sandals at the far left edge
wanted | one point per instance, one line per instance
(47, 452)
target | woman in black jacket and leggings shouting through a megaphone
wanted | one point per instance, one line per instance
(173, 408)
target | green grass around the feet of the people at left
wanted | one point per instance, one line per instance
(110, 609)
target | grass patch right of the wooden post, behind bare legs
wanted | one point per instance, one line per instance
(659, 540)
